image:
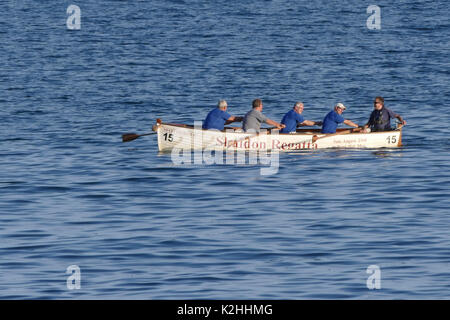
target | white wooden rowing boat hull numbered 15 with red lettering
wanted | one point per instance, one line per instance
(183, 136)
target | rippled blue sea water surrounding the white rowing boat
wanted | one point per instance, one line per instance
(138, 226)
